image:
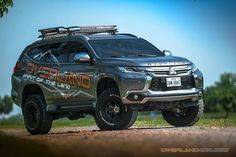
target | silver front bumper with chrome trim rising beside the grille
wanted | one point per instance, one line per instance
(146, 95)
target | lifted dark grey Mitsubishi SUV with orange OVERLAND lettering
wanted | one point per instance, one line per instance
(94, 70)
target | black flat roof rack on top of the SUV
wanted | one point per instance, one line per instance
(73, 30)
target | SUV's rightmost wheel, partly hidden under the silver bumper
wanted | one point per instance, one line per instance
(184, 116)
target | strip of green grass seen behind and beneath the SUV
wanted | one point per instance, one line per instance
(144, 120)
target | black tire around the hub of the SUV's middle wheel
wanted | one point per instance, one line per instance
(128, 115)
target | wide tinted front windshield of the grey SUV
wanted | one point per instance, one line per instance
(124, 48)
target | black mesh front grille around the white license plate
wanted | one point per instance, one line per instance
(159, 84)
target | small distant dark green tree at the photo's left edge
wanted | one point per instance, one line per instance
(6, 104)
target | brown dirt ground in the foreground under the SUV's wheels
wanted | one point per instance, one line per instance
(89, 141)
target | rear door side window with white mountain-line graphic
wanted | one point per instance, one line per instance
(56, 53)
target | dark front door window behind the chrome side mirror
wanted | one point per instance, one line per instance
(74, 48)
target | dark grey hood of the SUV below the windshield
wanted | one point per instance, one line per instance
(144, 61)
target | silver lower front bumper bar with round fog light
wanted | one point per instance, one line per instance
(157, 96)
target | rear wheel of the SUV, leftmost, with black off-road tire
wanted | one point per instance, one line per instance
(37, 119)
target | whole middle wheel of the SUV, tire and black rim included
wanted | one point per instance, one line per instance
(111, 113)
